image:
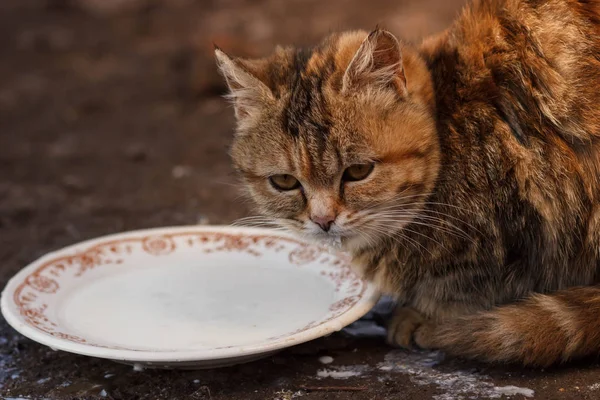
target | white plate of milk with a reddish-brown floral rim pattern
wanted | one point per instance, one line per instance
(199, 296)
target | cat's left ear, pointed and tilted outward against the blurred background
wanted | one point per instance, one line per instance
(248, 93)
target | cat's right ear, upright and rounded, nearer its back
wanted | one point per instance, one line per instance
(377, 64)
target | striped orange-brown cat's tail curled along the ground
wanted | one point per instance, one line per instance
(542, 330)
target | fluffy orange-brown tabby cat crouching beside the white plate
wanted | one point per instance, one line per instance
(461, 174)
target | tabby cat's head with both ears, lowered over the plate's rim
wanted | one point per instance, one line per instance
(336, 142)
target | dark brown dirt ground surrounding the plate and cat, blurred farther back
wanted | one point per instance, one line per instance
(111, 119)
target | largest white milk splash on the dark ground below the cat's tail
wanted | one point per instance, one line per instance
(455, 384)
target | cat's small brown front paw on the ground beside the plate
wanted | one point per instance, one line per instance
(408, 328)
